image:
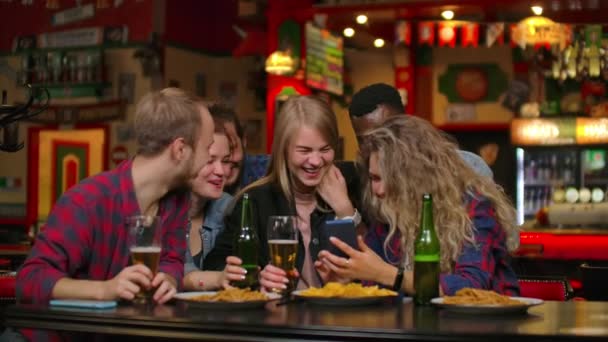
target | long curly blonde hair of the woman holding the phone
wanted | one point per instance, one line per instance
(415, 158)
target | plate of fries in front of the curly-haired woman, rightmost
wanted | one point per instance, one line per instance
(477, 301)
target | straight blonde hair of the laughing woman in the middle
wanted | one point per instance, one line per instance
(296, 112)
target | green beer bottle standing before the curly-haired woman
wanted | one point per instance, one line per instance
(426, 256)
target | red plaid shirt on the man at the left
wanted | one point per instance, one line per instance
(85, 236)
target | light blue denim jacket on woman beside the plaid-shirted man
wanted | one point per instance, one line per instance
(213, 225)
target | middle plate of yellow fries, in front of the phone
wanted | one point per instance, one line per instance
(345, 294)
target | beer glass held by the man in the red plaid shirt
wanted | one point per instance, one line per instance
(144, 247)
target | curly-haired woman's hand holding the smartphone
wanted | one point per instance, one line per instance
(362, 265)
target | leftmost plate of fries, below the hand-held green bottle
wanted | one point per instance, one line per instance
(233, 298)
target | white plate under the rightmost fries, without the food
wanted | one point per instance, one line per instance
(526, 303)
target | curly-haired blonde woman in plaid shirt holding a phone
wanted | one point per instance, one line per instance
(401, 160)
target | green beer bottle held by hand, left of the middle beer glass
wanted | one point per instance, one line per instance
(246, 246)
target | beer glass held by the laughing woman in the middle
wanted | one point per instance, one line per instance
(282, 236)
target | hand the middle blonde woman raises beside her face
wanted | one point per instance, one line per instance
(334, 192)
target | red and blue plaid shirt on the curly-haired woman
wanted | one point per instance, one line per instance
(486, 265)
